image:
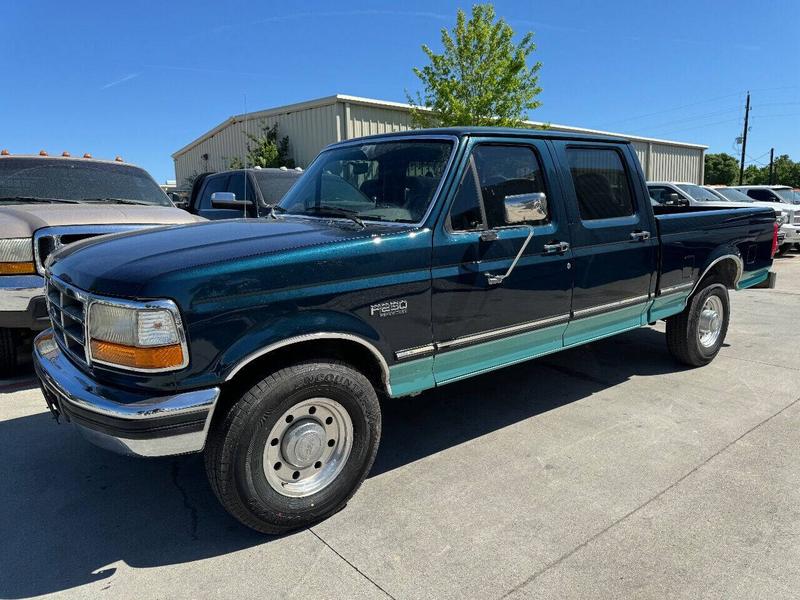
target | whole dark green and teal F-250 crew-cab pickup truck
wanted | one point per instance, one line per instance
(394, 265)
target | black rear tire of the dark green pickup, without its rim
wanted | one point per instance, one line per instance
(683, 339)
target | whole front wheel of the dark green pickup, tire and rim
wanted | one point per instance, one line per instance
(295, 447)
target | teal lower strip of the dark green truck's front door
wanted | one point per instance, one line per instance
(487, 356)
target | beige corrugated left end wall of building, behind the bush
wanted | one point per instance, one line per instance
(309, 130)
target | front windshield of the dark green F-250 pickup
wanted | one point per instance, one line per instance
(379, 181)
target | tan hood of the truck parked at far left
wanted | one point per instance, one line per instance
(22, 220)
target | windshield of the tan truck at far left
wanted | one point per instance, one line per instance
(76, 180)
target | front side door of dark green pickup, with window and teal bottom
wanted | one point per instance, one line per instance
(479, 323)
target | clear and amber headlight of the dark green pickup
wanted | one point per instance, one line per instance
(146, 338)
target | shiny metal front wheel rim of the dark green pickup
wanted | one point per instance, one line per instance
(308, 447)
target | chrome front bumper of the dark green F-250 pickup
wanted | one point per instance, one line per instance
(122, 421)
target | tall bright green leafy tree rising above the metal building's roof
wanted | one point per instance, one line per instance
(481, 77)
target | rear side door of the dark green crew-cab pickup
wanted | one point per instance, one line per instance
(613, 235)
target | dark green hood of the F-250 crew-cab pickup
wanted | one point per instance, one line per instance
(143, 263)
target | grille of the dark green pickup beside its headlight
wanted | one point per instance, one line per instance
(67, 309)
